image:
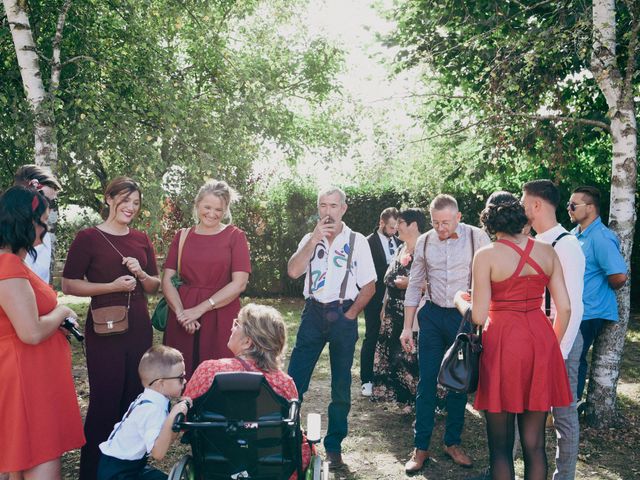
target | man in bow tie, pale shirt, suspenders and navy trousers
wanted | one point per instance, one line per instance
(443, 258)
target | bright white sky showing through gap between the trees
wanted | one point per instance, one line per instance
(352, 25)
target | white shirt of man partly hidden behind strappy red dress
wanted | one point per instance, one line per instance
(573, 262)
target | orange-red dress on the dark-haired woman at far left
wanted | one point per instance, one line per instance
(39, 413)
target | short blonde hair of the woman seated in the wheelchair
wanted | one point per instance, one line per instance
(265, 328)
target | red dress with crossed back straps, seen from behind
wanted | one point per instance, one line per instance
(521, 366)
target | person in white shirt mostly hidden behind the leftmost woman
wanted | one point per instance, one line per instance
(39, 178)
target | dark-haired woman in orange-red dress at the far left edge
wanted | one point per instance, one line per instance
(40, 416)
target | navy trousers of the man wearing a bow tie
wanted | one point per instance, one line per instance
(438, 329)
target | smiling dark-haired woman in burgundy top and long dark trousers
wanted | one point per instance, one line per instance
(114, 265)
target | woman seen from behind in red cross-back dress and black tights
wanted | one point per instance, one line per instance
(522, 374)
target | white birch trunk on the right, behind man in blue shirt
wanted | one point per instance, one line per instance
(618, 91)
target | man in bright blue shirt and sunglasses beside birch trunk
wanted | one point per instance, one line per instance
(605, 270)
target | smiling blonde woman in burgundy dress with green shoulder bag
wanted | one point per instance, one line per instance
(215, 269)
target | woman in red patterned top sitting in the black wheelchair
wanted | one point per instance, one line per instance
(258, 341)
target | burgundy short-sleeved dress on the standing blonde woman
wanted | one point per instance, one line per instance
(206, 266)
